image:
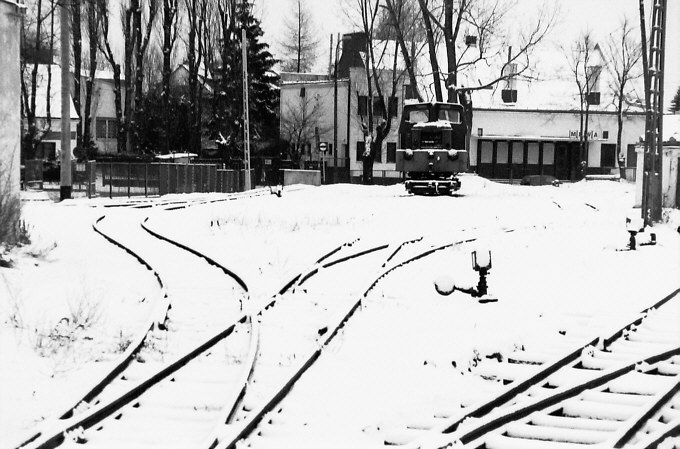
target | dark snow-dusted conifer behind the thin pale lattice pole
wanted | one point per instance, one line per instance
(263, 97)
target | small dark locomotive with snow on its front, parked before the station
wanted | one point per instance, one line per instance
(432, 147)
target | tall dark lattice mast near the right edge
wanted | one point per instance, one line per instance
(652, 177)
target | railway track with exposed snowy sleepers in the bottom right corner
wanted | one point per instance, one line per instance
(616, 391)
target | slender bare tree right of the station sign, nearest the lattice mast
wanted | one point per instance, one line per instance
(623, 52)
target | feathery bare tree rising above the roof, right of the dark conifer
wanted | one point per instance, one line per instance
(300, 50)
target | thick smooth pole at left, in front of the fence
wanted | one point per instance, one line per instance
(65, 184)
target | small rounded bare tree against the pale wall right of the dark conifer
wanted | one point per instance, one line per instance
(299, 124)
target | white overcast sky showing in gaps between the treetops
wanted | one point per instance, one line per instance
(602, 17)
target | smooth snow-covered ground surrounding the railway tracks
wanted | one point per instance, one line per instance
(407, 356)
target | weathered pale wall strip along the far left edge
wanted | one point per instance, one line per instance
(10, 115)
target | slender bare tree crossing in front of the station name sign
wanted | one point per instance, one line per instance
(585, 69)
